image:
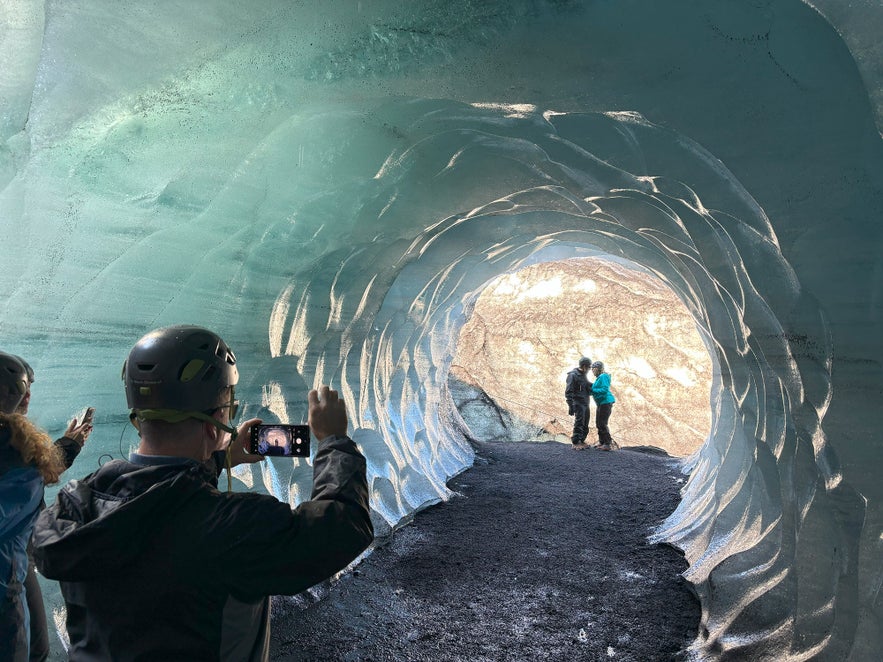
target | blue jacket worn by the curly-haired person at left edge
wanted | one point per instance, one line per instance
(21, 495)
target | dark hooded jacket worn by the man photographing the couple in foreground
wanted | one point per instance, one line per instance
(147, 555)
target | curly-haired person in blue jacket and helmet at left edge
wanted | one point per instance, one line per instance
(28, 461)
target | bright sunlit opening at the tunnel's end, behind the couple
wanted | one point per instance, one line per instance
(528, 329)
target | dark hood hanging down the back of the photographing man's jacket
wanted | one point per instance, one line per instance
(99, 525)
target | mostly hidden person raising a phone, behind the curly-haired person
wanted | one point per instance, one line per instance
(69, 445)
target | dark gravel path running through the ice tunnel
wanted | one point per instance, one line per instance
(543, 557)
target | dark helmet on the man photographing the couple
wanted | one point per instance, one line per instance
(182, 368)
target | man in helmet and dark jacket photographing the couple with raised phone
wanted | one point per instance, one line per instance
(150, 554)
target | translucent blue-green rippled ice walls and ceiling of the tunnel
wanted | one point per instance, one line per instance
(331, 190)
